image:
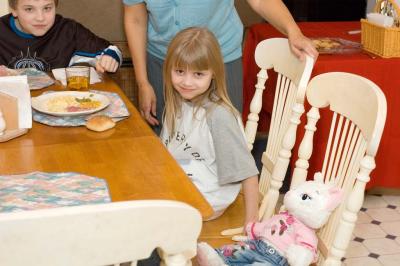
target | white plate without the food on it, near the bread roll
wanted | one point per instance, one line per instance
(40, 103)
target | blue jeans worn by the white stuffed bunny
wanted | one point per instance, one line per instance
(251, 252)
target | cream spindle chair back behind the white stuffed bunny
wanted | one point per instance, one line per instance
(358, 119)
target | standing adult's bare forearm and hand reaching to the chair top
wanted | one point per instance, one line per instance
(276, 13)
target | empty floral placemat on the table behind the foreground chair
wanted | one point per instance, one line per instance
(38, 190)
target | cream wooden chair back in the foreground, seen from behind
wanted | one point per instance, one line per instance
(101, 234)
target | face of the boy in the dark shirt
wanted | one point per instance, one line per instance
(35, 17)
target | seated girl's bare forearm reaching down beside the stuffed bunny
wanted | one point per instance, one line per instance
(250, 192)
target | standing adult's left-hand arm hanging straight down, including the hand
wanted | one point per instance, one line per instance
(135, 21)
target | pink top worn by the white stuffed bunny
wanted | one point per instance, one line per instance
(283, 230)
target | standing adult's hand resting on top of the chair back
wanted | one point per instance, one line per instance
(301, 45)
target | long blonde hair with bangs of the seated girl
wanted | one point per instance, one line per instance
(196, 49)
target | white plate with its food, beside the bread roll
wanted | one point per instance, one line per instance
(70, 103)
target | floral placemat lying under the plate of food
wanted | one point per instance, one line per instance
(117, 110)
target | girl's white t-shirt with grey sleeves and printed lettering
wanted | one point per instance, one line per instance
(211, 148)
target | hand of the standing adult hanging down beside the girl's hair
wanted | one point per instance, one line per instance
(147, 103)
